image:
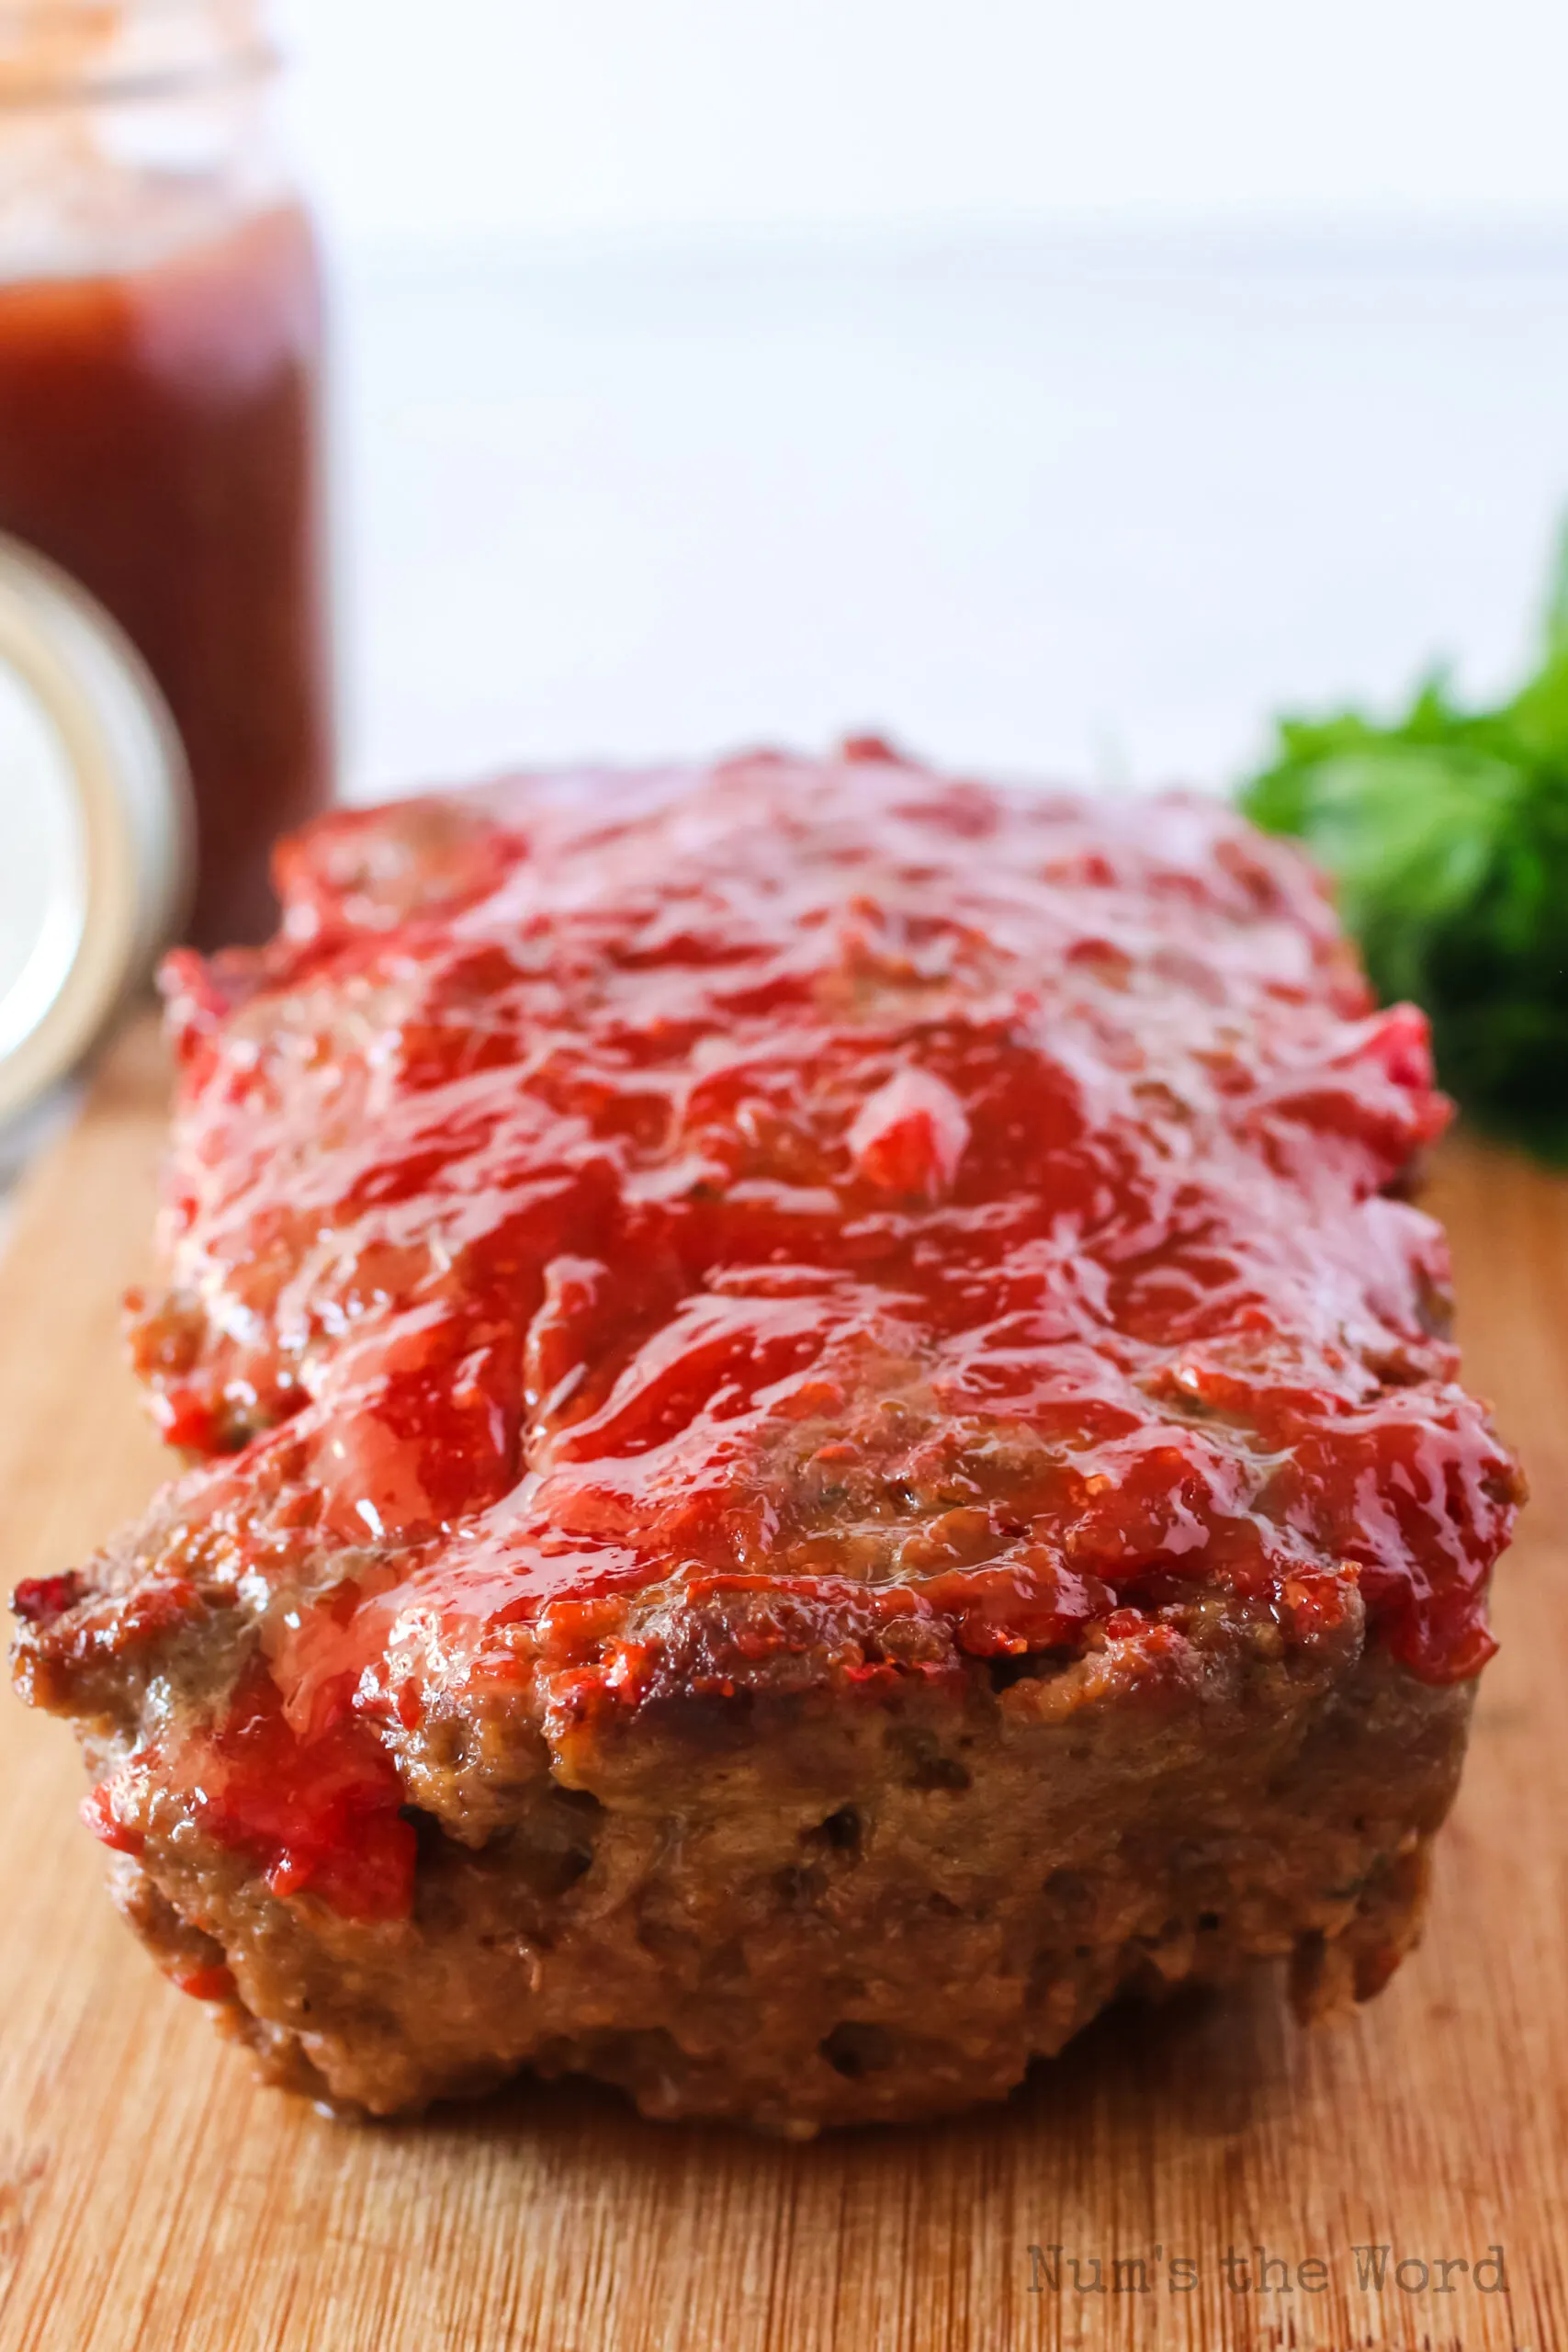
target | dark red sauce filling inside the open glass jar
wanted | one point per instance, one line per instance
(159, 439)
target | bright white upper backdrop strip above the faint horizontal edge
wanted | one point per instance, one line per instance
(728, 116)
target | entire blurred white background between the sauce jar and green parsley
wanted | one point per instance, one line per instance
(1050, 387)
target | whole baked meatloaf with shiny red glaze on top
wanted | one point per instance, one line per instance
(819, 1436)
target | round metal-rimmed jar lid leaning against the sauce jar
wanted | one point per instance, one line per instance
(95, 824)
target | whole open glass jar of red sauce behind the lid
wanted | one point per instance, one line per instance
(161, 345)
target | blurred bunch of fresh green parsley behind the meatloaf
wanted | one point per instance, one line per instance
(1447, 834)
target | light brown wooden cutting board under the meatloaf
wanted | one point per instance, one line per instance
(154, 2198)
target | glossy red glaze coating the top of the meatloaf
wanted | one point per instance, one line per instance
(815, 1180)
